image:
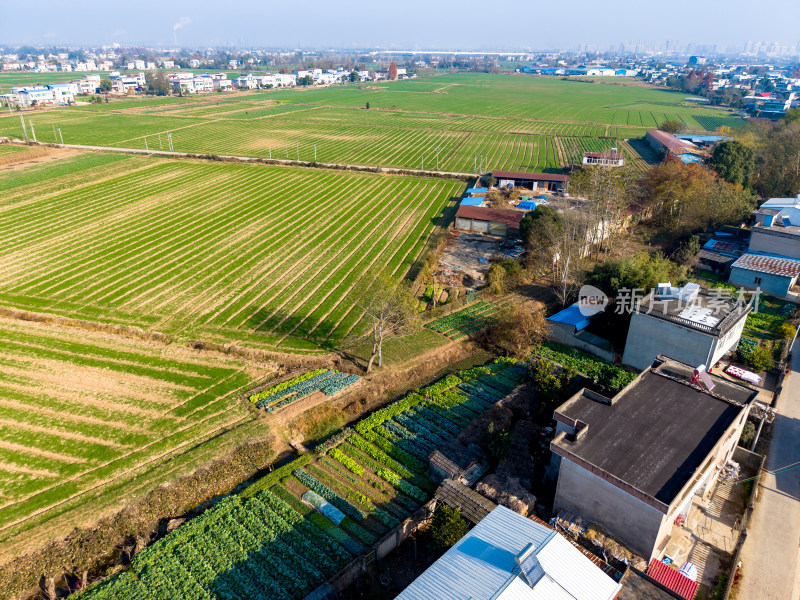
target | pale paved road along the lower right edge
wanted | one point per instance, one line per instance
(770, 554)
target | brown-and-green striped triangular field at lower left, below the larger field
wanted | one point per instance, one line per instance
(89, 420)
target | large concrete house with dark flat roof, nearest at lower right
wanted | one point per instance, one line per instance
(634, 463)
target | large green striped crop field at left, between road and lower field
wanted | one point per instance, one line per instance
(268, 254)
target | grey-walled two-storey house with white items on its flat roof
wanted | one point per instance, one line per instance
(689, 324)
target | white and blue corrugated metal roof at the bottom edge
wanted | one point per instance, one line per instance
(481, 566)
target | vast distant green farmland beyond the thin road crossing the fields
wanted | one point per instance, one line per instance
(441, 123)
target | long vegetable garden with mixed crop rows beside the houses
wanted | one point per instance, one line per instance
(291, 531)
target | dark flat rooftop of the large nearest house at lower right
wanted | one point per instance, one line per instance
(657, 432)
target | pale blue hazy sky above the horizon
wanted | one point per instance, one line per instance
(415, 24)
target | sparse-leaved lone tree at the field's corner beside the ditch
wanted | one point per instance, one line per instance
(389, 309)
